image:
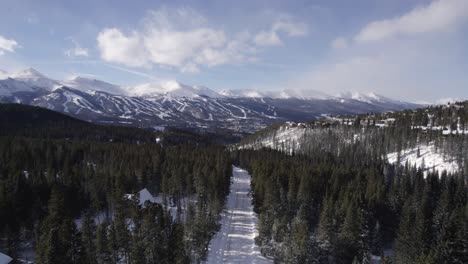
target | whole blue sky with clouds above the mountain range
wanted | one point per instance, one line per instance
(408, 49)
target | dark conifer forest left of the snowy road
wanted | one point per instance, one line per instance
(54, 169)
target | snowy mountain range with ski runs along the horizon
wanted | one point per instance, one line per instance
(171, 103)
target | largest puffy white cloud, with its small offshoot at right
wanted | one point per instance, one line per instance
(181, 38)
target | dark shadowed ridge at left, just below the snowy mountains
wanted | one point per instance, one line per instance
(38, 122)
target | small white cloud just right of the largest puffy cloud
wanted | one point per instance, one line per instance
(283, 25)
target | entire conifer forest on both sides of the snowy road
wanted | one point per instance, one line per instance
(323, 191)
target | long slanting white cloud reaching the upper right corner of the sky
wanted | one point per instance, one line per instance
(438, 16)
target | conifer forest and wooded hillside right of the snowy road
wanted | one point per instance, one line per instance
(326, 192)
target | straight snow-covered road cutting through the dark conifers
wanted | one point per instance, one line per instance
(234, 243)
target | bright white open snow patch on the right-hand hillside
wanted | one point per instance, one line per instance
(432, 160)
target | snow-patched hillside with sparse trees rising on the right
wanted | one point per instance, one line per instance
(430, 138)
